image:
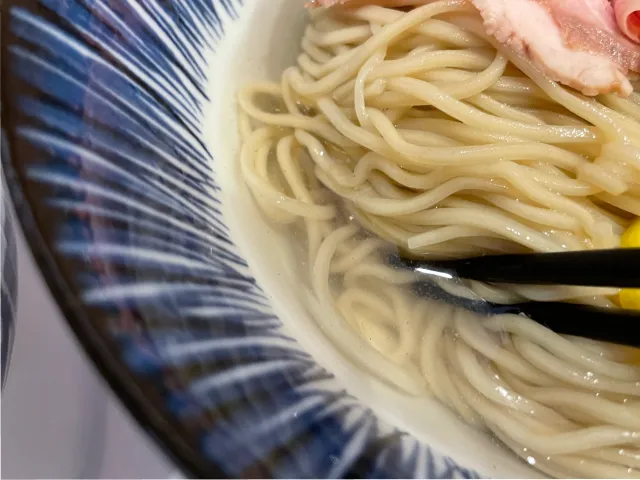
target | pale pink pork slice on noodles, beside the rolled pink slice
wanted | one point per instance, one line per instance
(567, 52)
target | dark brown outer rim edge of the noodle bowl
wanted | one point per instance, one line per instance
(122, 381)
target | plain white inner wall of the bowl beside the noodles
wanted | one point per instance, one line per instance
(259, 46)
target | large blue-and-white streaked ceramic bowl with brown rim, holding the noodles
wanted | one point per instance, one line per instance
(120, 120)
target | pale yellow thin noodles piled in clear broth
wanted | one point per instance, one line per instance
(410, 129)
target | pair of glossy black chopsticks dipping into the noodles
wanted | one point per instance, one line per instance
(618, 268)
